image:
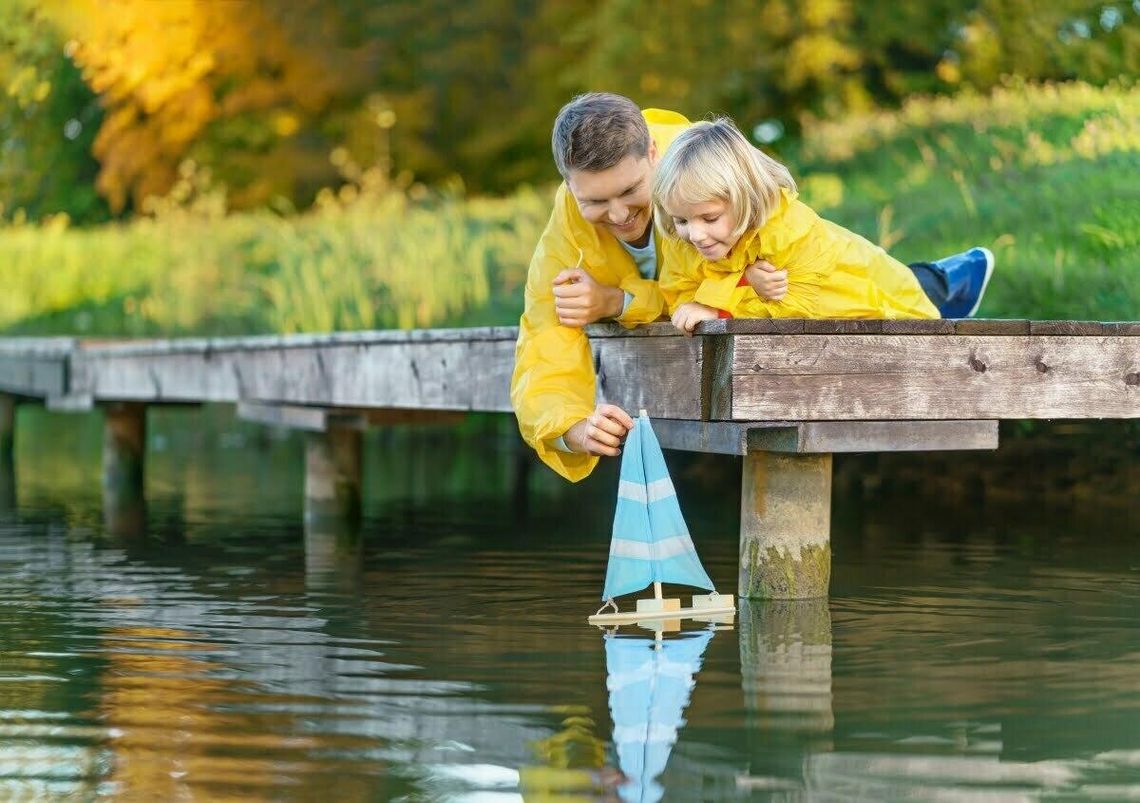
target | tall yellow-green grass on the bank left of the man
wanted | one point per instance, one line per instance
(363, 258)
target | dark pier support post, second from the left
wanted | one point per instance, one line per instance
(124, 468)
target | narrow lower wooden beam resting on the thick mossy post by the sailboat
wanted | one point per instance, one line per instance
(825, 437)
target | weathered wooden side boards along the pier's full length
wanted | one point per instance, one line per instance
(743, 371)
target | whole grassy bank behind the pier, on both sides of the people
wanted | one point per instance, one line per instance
(1045, 176)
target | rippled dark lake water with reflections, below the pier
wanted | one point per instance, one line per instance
(968, 652)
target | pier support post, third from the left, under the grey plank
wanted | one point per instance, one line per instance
(332, 475)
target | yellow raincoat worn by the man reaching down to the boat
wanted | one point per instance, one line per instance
(553, 386)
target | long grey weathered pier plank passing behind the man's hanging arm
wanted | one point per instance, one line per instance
(661, 375)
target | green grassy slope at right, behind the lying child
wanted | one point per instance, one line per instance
(1044, 176)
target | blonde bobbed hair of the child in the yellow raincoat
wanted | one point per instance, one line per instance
(713, 161)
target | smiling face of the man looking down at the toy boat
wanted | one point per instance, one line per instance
(618, 199)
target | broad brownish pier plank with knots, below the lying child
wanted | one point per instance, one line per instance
(820, 378)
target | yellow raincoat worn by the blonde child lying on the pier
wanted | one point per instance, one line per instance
(833, 273)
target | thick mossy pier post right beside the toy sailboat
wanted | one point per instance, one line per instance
(786, 526)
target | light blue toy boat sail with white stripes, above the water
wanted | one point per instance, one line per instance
(652, 542)
